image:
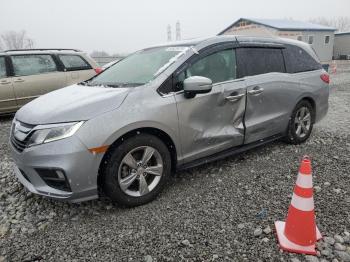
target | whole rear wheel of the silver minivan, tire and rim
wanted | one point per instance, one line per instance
(300, 124)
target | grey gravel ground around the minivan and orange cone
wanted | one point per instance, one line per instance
(223, 211)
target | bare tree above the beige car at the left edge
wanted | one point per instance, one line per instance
(16, 40)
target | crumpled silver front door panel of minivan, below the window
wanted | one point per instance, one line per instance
(210, 123)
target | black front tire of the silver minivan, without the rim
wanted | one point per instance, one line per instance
(110, 184)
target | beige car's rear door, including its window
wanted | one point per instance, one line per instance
(35, 75)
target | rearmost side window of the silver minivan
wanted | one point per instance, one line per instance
(298, 60)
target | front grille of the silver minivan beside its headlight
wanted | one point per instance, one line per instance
(23, 132)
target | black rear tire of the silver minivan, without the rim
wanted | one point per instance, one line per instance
(292, 137)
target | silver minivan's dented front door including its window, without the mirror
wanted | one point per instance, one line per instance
(211, 122)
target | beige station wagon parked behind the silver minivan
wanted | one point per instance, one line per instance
(27, 74)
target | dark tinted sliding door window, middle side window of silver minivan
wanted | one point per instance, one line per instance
(256, 61)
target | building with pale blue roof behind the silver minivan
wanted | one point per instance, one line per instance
(320, 37)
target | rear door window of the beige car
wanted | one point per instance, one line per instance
(25, 65)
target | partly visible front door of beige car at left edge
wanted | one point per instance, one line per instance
(7, 95)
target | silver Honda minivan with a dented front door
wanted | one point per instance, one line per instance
(125, 131)
